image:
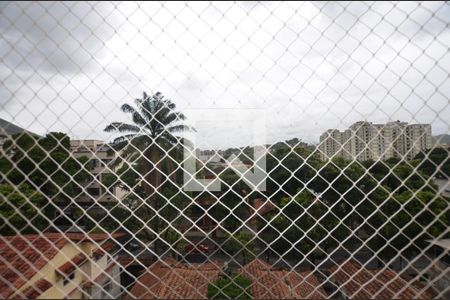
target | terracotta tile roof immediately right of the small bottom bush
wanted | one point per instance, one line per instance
(276, 284)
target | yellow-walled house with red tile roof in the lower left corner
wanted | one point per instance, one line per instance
(58, 265)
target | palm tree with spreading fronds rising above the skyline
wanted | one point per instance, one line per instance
(150, 139)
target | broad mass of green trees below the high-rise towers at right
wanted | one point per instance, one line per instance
(393, 203)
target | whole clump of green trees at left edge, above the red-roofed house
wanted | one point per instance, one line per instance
(45, 174)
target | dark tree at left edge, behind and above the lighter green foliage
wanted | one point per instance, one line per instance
(45, 163)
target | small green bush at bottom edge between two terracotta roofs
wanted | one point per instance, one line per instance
(237, 287)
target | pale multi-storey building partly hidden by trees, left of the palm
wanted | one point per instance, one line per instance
(100, 164)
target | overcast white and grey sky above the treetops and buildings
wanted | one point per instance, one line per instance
(310, 66)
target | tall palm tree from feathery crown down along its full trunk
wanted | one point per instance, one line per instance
(151, 145)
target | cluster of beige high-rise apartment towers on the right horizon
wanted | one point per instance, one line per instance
(365, 140)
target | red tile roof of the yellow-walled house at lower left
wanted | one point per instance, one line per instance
(22, 256)
